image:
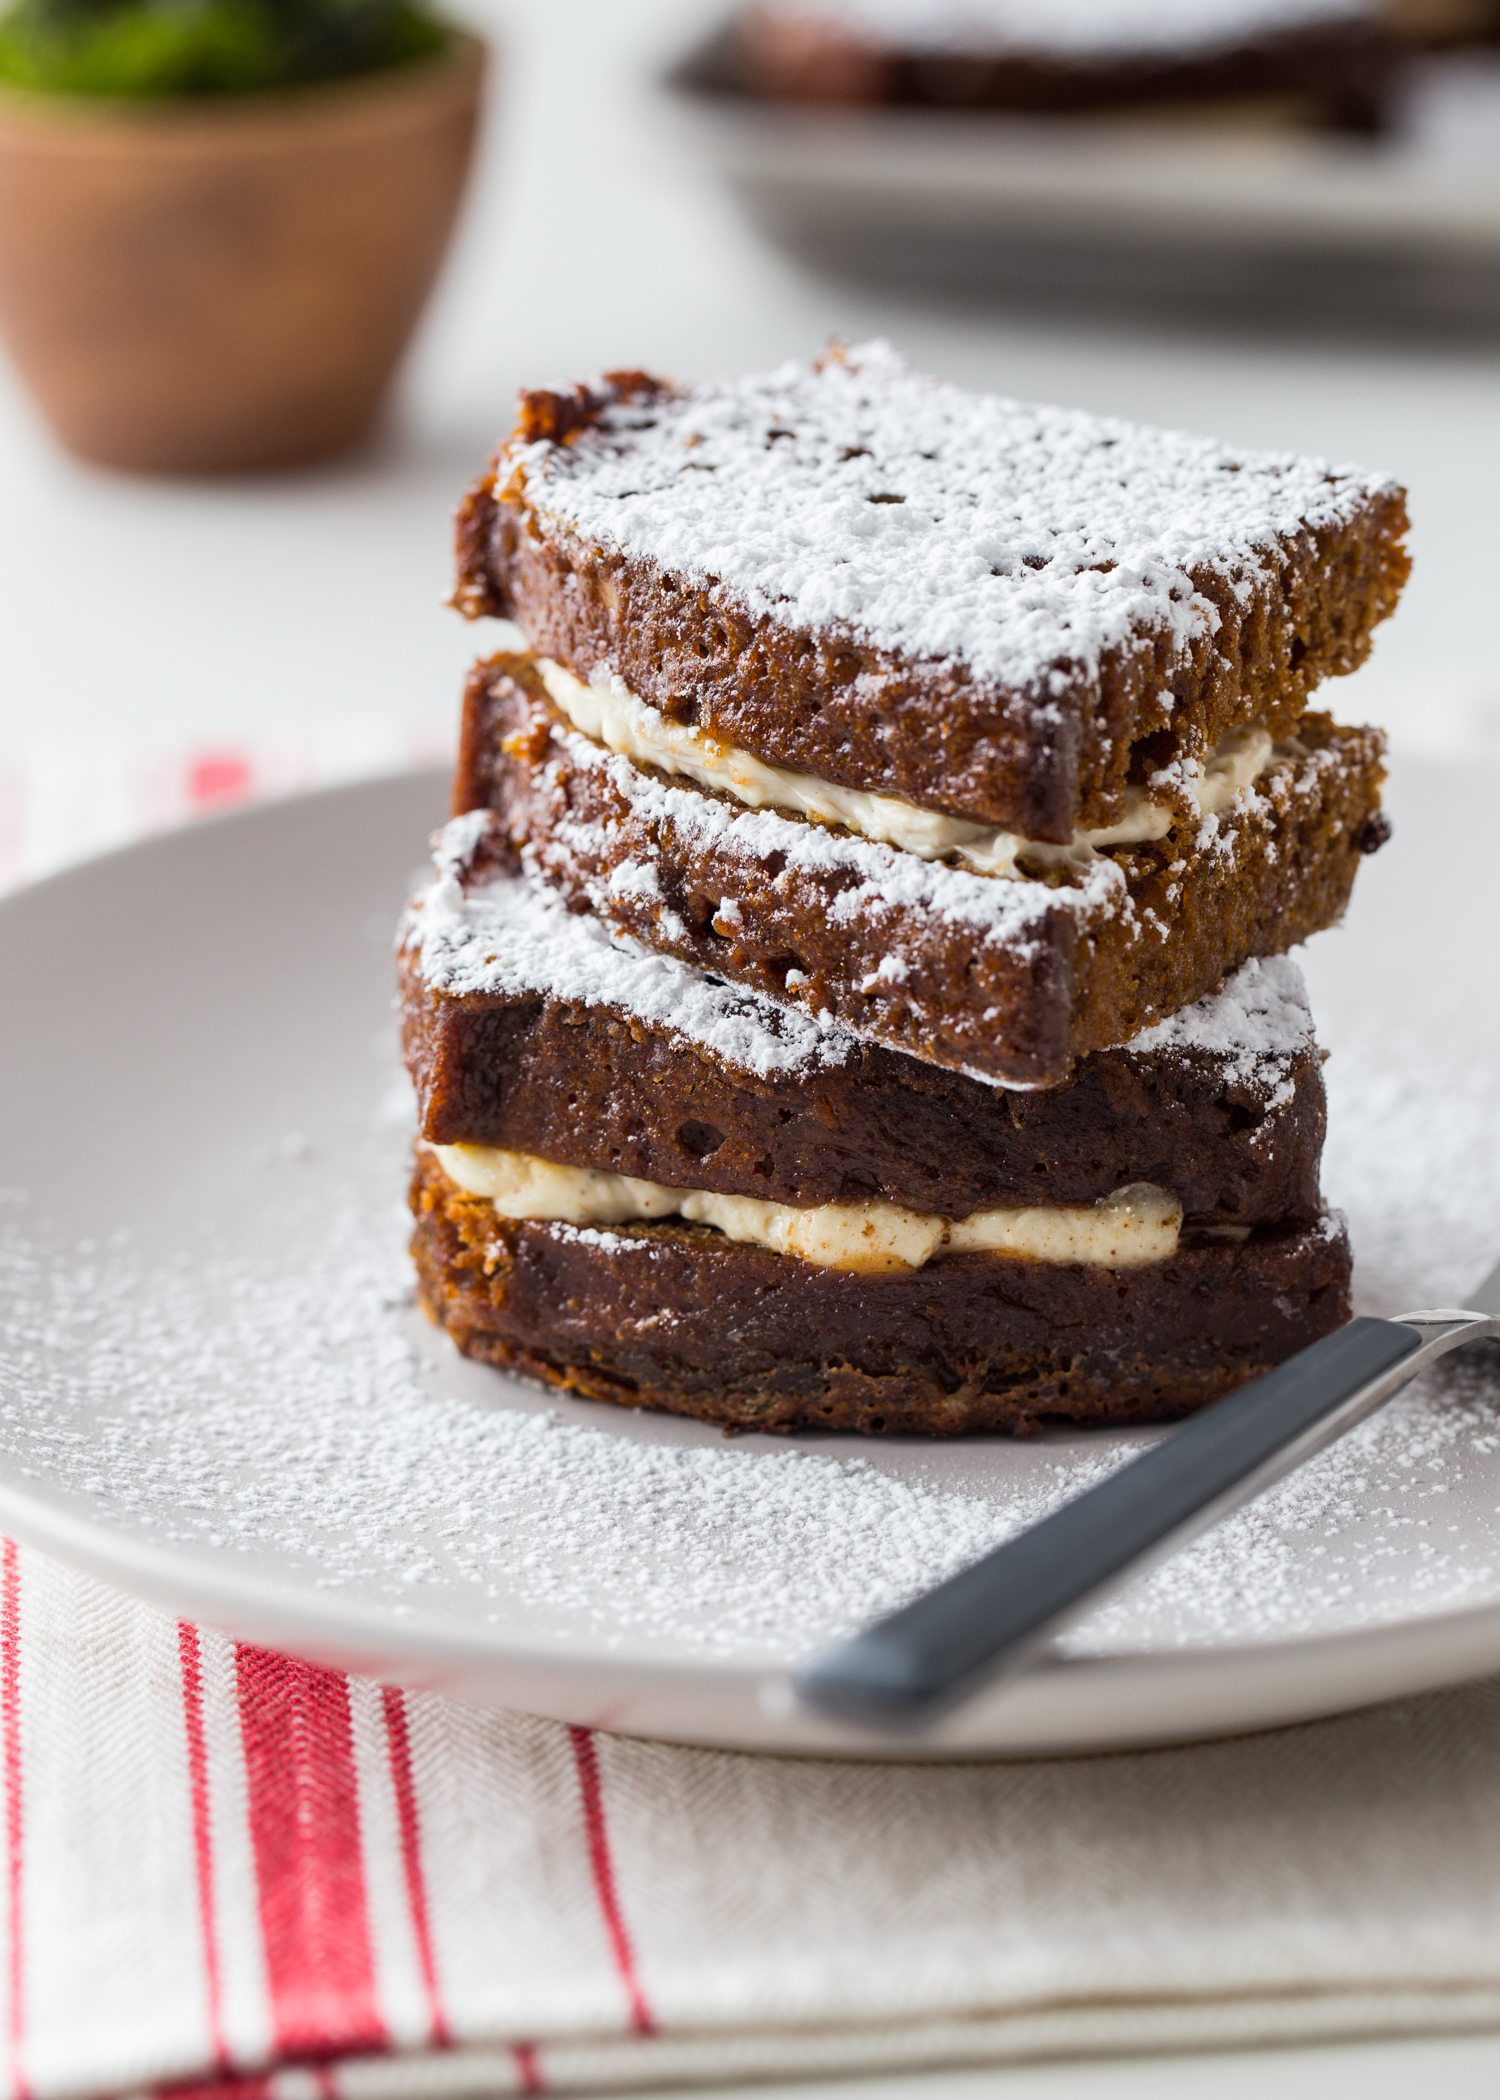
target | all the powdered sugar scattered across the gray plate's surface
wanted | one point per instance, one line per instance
(297, 1406)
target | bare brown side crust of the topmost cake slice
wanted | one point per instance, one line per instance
(862, 717)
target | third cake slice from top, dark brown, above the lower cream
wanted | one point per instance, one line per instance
(1228, 1112)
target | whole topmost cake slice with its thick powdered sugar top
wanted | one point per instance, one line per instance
(988, 608)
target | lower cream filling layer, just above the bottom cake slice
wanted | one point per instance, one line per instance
(1129, 1230)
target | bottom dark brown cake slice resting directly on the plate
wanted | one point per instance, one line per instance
(678, 1318)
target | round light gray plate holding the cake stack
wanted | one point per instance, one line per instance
(215, 1389)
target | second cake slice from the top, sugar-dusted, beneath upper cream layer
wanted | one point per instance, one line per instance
(1009, 982)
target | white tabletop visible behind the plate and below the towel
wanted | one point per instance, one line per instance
(144, 614)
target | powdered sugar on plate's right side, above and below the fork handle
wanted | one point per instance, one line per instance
(1404, 1515)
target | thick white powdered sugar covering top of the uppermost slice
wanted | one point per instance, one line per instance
(944, 526)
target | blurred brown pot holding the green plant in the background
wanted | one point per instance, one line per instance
(228, 287)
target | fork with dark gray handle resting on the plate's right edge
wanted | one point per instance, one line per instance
(993, 1618)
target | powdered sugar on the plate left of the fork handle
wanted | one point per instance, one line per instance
(243, 1406)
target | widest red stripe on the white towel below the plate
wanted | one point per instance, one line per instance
(310, 1870)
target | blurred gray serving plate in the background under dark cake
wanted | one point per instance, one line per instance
(1259, 228)
